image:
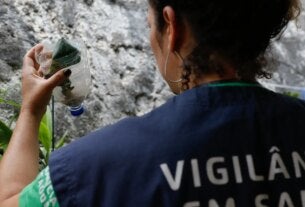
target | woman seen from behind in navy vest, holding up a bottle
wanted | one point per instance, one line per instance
(223, 141)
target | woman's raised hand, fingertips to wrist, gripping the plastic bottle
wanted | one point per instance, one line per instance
(37, 91)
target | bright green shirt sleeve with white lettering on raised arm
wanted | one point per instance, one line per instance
(39, 193)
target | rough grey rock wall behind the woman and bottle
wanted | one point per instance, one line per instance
(125, 81)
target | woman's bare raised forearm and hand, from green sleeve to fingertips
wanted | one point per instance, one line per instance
(19, 165)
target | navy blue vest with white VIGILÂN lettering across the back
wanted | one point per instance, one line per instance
(233, 146)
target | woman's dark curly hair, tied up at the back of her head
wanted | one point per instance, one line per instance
(237, 31)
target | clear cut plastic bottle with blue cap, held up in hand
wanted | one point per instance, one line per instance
(67, 54)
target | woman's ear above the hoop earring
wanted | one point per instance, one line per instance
(171, 30)
